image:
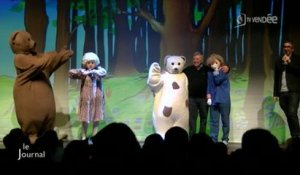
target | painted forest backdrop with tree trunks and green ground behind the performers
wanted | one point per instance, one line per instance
(128, 35)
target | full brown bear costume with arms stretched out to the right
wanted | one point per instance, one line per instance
(33, 94)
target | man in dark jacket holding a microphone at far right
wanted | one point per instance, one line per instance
(287, 86)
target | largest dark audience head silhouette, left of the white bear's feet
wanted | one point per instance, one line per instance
(116, 148)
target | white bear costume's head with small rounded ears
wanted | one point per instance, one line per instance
(174, 64)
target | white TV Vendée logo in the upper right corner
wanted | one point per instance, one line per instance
(242, 19)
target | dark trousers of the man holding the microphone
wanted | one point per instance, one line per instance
(289, 103)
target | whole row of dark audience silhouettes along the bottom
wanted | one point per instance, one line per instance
(115, 149)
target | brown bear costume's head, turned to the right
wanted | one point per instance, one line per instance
(21, 43)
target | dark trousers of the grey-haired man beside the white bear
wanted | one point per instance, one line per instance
(197, 107)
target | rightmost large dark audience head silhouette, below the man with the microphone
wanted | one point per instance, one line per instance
(261, 151)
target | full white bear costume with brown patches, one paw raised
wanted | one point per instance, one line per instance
(170, 90)
